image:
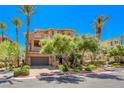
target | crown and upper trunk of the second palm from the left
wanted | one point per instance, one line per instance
(17, 22)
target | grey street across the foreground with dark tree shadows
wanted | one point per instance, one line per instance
(110, 80)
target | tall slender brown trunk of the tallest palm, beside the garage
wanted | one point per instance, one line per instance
(27, 39)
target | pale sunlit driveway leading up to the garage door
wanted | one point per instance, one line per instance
(36, 70)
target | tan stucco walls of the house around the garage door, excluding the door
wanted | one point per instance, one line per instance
(39, 34)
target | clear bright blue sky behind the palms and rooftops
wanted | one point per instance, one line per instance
(78, 17)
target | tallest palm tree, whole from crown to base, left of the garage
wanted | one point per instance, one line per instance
(27, 10)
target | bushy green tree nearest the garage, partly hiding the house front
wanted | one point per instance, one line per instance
(59, 46)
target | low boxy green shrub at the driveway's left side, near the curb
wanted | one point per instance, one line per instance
(22, 71)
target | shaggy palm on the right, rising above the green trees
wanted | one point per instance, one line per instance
(98, 24)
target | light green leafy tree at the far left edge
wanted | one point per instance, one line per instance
(9, 53)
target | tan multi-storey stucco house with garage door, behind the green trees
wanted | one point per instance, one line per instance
(35, 58)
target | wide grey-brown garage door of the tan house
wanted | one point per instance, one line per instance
(39, 61)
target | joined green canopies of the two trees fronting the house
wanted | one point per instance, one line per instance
(76, 46)
